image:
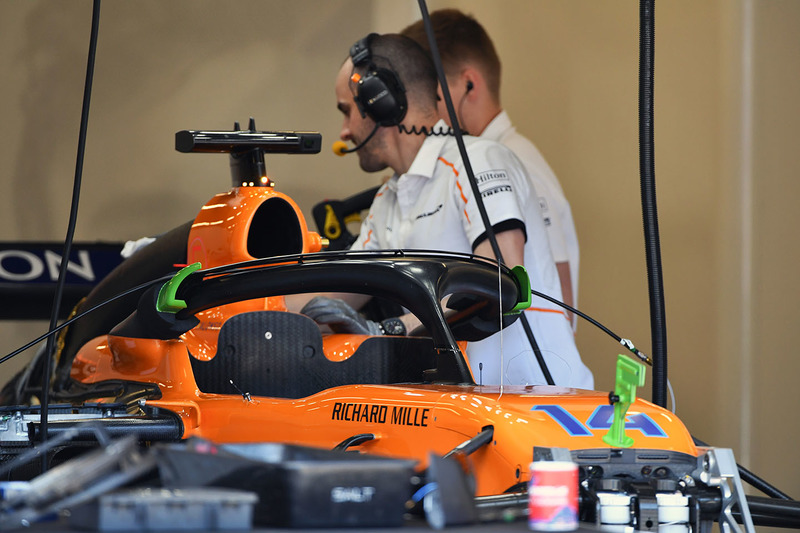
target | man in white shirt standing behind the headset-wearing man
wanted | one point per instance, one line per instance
(473, 72)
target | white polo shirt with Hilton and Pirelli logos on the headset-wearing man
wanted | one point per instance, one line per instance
(432, 207)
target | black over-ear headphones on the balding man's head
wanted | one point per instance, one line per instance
(379, 92)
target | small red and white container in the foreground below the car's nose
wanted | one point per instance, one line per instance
(553, 496)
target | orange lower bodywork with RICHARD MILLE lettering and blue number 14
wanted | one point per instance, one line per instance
(408, 421)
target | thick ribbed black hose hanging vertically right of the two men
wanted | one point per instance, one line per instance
(658, 328)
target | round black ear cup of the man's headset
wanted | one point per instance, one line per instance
(382, 97)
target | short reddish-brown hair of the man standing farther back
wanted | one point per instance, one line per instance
(460, 39)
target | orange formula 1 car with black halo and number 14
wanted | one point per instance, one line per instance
(213, 353)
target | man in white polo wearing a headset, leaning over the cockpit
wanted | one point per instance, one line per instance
(387, 92)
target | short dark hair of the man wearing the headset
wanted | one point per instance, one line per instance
(411, 63)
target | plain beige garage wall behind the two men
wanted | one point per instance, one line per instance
(726, 158)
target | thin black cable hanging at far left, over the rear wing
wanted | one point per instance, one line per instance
(73, 215)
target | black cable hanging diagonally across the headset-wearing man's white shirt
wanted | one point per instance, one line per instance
(437, 61)
